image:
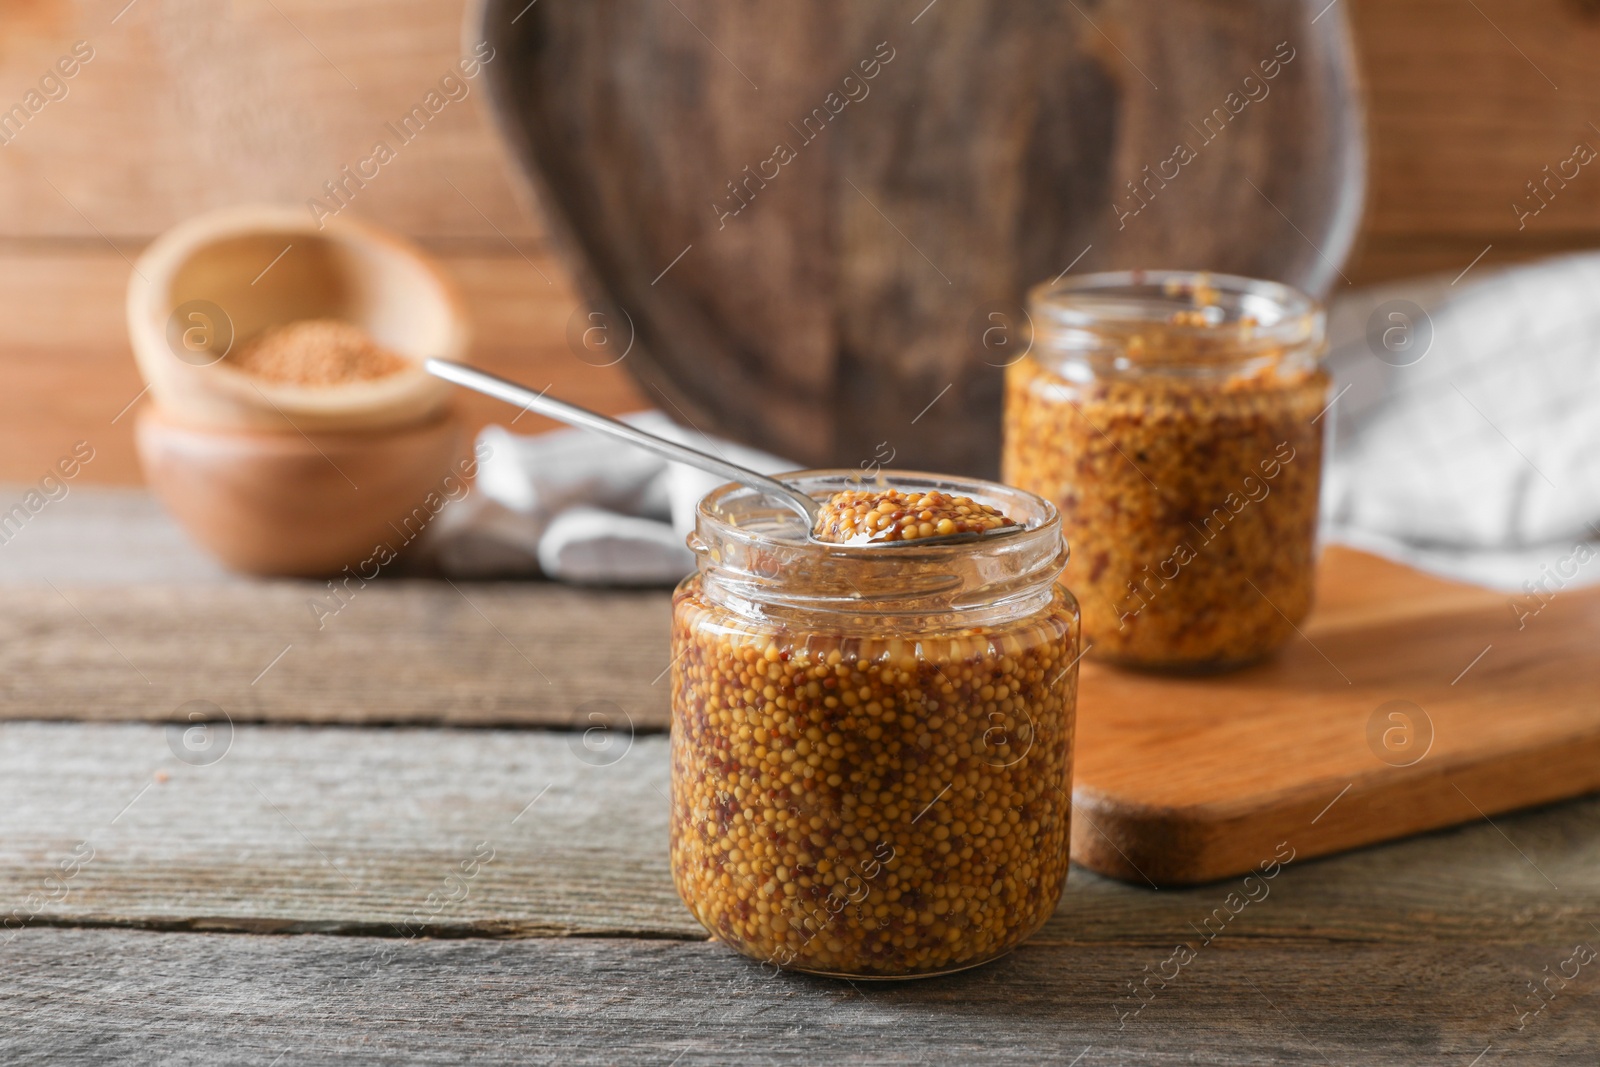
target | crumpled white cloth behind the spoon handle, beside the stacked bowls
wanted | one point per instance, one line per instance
(580, 508)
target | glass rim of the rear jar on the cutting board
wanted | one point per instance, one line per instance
(1111, 300)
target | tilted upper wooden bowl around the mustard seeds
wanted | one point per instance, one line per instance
(220, 279)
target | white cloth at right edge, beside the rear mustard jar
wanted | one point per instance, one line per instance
(1474, 454)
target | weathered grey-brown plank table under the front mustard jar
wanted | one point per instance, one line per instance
(438, 831)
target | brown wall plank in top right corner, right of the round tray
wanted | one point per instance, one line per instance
(1466, 106)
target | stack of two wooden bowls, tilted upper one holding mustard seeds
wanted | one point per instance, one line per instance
(294, 430)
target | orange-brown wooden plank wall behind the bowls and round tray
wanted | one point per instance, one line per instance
(191, 105)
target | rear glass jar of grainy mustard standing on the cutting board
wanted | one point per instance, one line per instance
(1174, 418)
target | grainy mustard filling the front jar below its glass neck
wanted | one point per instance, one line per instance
(852, 842)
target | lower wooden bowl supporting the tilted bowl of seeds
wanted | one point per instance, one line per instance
(270, 503)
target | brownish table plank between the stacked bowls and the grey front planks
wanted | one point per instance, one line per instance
(398, 652)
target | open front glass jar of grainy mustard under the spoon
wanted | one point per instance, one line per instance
(873, 746)
